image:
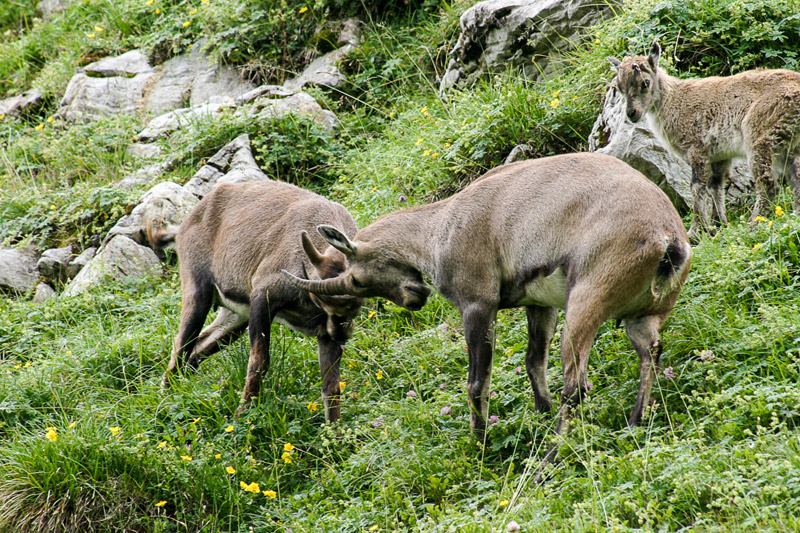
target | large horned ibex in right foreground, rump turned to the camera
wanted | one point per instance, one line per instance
(581, 232)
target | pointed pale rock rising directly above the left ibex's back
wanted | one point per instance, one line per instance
(233, 163)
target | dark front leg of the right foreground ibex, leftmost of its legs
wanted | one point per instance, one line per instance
(479, 323)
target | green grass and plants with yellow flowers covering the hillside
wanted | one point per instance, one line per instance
(90, 443)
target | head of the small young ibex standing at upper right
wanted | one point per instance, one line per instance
(637, 79)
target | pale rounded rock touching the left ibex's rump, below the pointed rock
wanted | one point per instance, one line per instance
(165, 204)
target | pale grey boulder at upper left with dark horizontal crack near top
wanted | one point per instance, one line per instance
(107, 87)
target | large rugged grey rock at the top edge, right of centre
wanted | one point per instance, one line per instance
(497, 34)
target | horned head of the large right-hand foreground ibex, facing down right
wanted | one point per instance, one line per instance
(370, 272)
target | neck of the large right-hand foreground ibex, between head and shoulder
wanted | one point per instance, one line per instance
(409, 235)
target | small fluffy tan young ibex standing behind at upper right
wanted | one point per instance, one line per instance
(755, 114)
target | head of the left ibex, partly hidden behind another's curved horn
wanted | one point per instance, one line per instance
(340, 308)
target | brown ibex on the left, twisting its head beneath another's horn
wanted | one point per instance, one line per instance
(231, 250)
